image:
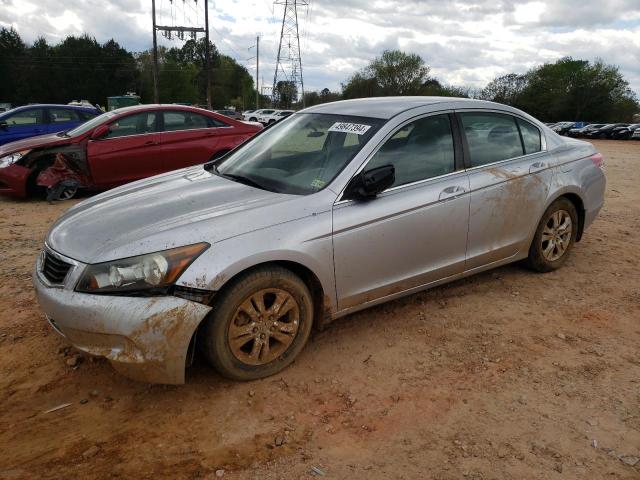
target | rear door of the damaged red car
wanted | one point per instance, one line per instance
(190, 138)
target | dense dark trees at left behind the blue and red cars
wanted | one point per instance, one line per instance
(81, 68)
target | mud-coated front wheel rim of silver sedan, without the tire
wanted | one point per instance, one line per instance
(264, 326)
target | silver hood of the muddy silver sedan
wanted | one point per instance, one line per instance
(178, 208)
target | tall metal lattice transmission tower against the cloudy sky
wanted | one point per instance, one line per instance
(287, 80)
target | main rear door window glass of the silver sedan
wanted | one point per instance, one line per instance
(491, 137)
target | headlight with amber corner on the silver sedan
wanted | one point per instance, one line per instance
(153, 271)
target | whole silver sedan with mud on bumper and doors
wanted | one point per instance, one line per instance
(337, 208)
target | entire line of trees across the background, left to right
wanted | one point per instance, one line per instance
(82, 68)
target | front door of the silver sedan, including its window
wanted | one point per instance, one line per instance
(414, 233)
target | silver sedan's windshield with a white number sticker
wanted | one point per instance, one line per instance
(300, 155)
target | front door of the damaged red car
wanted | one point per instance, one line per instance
(131, 150)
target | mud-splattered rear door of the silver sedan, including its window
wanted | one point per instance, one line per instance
(509, 176)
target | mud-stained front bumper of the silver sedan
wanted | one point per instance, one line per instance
(144, 338)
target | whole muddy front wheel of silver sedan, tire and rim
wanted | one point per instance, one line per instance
(259, 324)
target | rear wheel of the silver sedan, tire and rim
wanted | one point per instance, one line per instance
(554, 237)
